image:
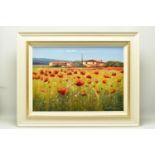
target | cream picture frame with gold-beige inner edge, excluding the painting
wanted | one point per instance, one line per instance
(25, 116)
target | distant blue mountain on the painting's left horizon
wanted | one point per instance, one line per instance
(44, 61)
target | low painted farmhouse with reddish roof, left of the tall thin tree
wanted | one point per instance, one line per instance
(60, 64)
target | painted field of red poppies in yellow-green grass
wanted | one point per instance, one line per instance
(77, 89)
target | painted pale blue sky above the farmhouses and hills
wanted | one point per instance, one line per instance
(74, 53)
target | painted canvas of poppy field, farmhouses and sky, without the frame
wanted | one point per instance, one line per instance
(77, 78)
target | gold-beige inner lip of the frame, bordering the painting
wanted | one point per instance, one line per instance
(45, 114)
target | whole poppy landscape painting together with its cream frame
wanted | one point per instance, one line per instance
(78, 79)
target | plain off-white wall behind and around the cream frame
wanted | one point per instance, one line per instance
(8, 70)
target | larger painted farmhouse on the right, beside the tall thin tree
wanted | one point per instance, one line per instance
(93, 63)
